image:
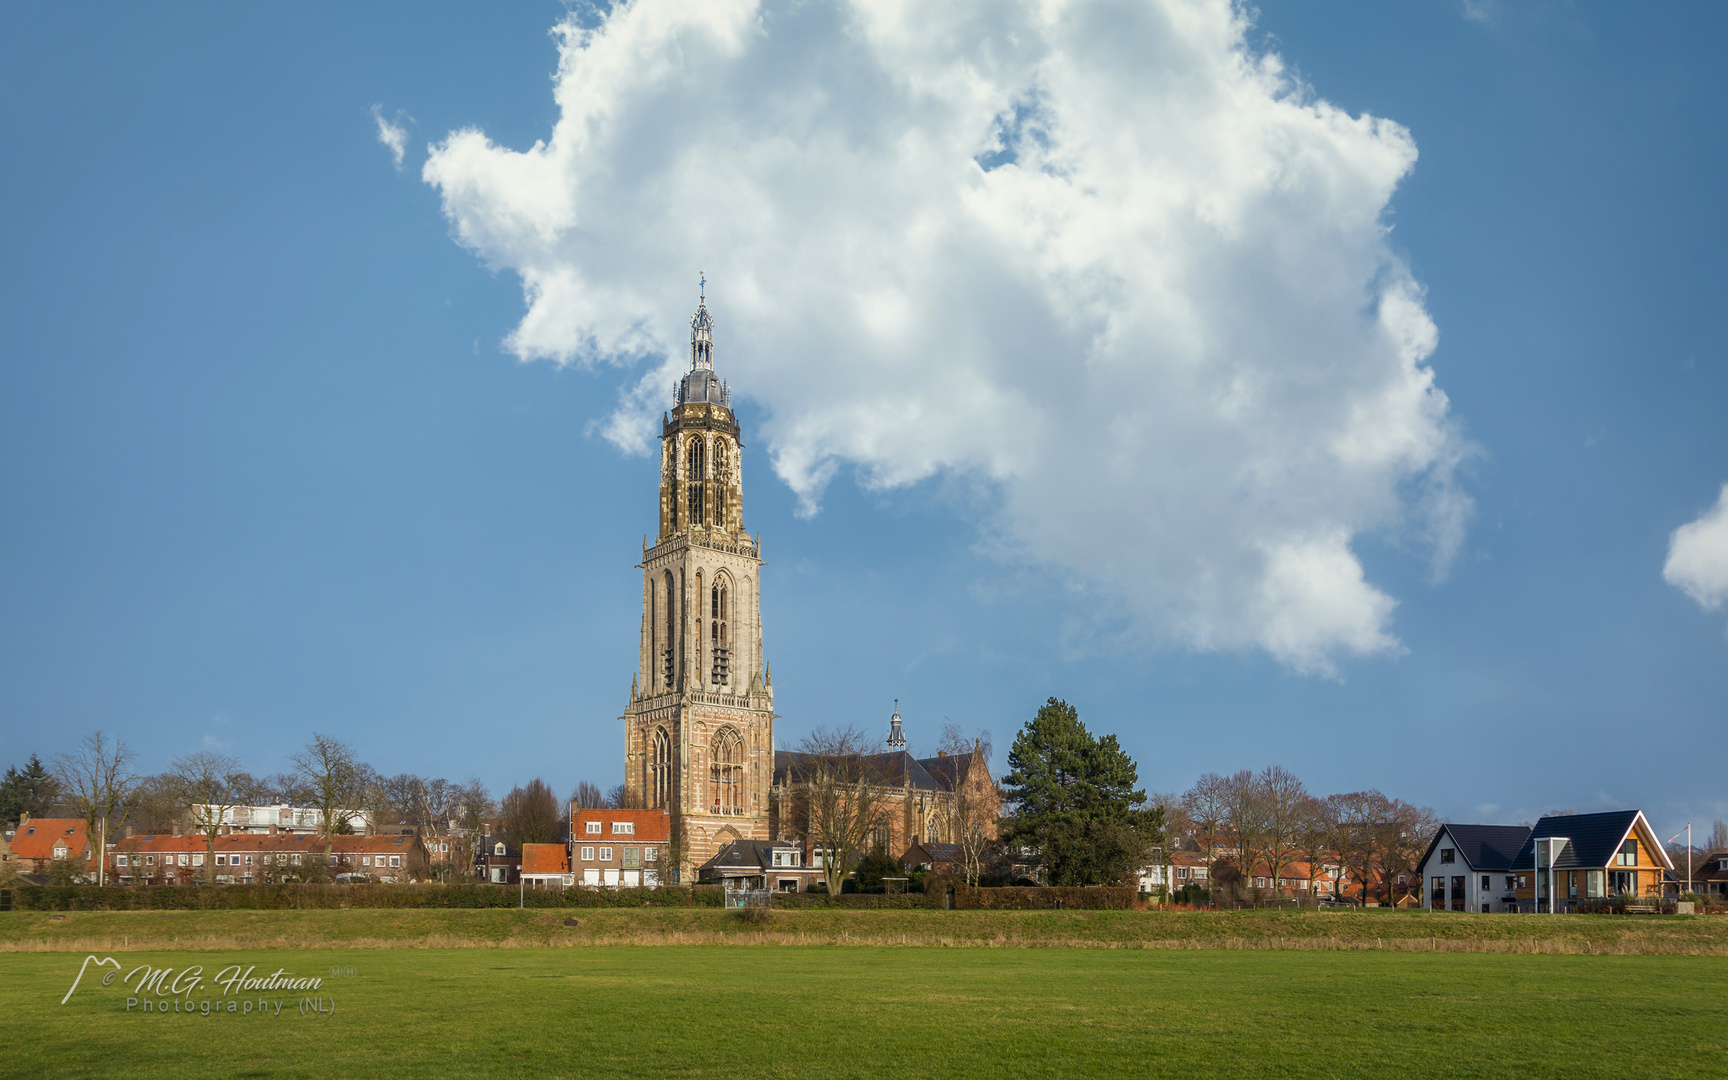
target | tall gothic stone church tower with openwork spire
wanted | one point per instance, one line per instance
(699, 734)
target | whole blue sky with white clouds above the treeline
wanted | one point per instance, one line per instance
(283, 450)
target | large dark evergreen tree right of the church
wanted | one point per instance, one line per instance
(1076, 801)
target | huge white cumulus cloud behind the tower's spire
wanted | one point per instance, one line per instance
(1100, 257)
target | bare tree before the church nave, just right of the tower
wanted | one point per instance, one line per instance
(835, 799)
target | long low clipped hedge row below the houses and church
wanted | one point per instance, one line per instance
(284, 898)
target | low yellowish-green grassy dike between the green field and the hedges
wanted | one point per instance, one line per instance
(1285, 931)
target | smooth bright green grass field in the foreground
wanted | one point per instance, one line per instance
(889, 1012)
